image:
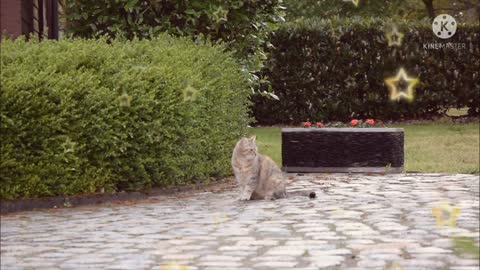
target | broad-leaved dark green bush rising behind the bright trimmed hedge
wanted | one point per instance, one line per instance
(243, 25)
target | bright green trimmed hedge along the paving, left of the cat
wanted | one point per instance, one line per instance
(79, 115)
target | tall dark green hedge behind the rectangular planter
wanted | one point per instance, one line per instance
(335, 70)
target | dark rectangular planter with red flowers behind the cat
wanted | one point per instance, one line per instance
(342, 150)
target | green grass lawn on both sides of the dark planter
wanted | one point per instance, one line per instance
(440, 146)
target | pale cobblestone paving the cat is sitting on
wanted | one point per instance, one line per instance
(356, 222)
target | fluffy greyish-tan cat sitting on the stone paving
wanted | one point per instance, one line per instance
(257, 175)
